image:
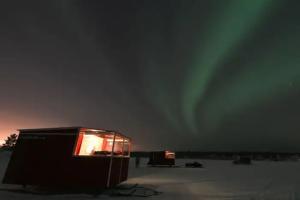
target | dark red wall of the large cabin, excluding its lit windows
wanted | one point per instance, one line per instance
(47, 160)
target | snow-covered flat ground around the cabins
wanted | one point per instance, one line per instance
(218, 180)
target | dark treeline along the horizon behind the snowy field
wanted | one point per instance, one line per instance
(228, 155)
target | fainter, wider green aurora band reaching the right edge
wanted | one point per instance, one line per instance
(256, 86)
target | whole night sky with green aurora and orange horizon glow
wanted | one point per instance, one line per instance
(182, 75)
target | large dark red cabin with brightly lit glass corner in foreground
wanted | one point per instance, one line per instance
(69, 157)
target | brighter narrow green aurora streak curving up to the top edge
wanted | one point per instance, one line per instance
(234, 23)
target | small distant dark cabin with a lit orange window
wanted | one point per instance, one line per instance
(162, 158)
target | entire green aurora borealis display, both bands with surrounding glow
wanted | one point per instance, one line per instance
(267, 70)
